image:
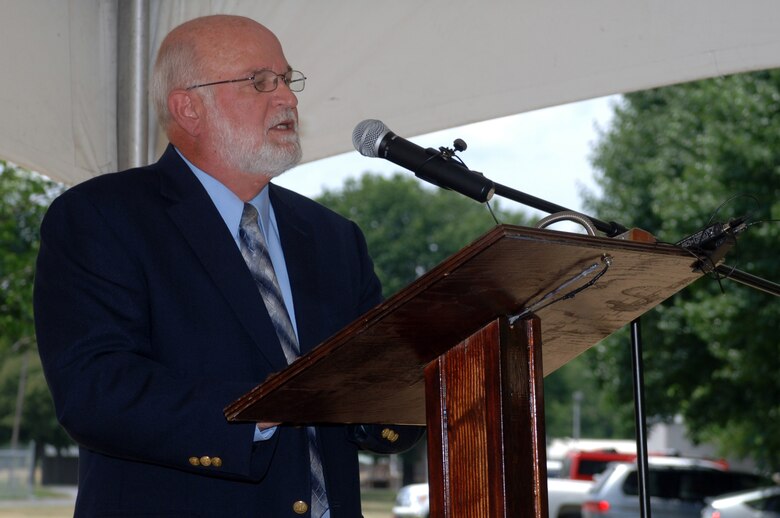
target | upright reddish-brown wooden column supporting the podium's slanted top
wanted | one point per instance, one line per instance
(486, 438)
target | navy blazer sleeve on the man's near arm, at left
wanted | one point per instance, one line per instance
(111, 392)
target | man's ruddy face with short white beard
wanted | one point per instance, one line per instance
(250, 131)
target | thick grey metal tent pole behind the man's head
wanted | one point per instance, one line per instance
(132, 80)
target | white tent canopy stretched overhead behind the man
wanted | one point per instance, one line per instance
(418, 66)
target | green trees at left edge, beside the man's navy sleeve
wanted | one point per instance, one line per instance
(24, 197)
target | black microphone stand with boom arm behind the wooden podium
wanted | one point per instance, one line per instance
(612, 229)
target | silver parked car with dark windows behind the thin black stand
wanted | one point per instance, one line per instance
(678, 488)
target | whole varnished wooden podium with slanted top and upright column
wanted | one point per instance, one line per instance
(446, 352)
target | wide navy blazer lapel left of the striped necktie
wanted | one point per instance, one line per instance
(199, 222)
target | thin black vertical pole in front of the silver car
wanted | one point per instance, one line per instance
(639, 414)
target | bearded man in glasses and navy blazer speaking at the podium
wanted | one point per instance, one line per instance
(148, 320)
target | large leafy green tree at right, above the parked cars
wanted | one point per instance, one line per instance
(674, 160)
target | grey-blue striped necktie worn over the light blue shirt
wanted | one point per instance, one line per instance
(255, 252)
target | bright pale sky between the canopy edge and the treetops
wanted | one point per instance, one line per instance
(544, 153)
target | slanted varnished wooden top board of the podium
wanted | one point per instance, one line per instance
(372, 371)
